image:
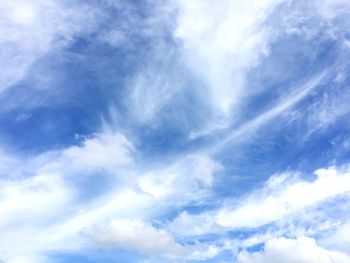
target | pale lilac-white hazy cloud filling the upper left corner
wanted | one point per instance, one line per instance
(30, 29)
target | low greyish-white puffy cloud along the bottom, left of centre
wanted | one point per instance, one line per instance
(143, 237)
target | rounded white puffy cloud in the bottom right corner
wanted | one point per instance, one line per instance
(302, 249)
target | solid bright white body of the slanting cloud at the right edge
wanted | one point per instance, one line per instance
(273, 204)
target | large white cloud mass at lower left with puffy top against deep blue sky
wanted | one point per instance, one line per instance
(41, 212)
